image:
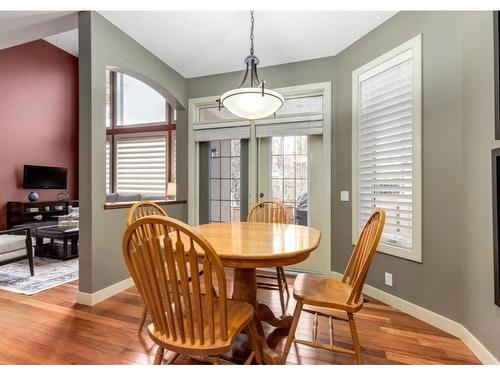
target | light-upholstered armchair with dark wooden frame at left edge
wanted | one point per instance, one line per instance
(15, 245)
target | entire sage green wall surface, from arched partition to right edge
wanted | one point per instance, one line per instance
(456, 276)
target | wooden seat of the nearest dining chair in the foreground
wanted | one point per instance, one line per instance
(239, 315)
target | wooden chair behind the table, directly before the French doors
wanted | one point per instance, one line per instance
(271, 212)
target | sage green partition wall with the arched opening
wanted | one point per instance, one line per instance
(103, 45)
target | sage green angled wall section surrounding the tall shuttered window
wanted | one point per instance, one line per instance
(434, 283)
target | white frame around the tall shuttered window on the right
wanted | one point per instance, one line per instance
(375, 66)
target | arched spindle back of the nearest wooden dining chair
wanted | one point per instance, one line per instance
(167, 276)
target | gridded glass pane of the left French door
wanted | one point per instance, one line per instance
(225, 175)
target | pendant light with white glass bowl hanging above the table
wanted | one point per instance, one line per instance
(256, 101)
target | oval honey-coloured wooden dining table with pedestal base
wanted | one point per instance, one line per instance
(246, 246)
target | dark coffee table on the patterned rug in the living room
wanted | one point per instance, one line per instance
(54, 249)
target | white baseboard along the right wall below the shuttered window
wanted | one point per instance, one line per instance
(432, 318)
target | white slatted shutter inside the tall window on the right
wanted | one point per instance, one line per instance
(385, 136)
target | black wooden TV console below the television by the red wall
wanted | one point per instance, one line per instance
(20, 212)
